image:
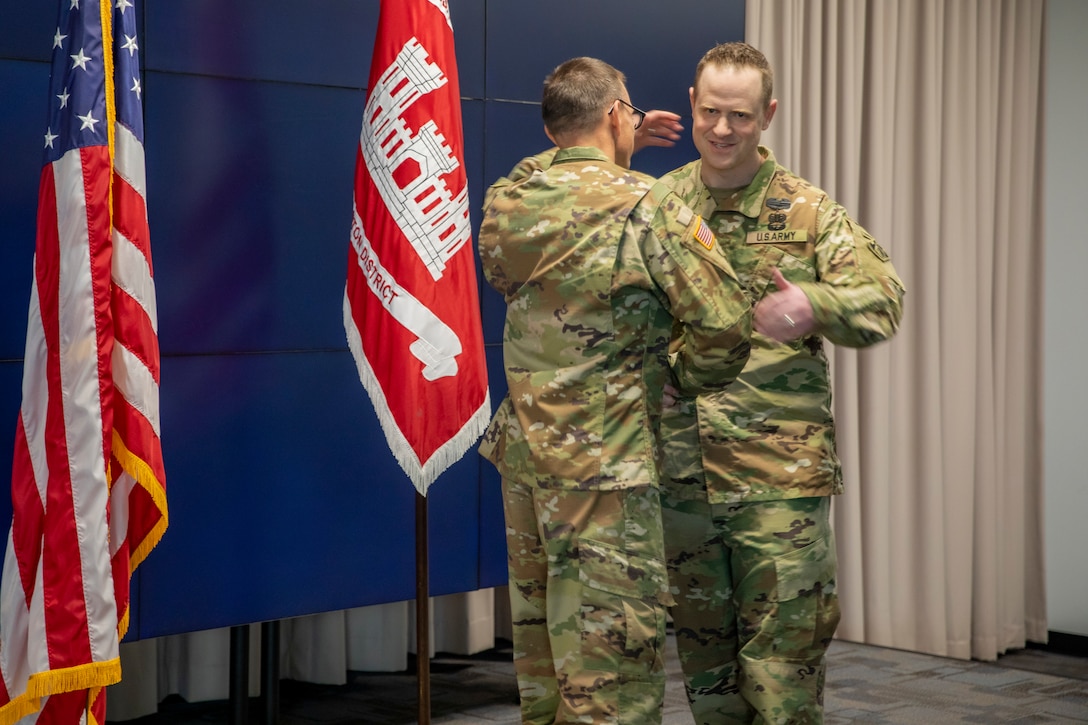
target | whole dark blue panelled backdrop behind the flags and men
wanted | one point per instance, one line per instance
(285, 498)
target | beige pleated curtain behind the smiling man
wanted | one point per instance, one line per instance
(924, 119)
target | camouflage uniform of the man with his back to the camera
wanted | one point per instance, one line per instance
(596, 264)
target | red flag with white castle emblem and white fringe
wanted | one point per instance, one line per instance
(412, 310)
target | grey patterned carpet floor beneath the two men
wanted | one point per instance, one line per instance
(866, 685)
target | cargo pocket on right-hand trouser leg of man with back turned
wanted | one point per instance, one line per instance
(623, 613)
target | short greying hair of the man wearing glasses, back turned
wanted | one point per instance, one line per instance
(577, 92)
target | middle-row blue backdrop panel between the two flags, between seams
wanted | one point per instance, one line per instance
(250, 200)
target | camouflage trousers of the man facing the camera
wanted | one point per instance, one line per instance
(756, 607)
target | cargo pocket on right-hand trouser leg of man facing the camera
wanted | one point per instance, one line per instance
(808, 601)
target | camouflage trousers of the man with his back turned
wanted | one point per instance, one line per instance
(589, 593)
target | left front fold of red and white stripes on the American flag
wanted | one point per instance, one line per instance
(60, 487)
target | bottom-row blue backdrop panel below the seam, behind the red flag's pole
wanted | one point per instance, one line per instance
(285, 498)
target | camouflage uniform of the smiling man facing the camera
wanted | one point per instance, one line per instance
(749, 471)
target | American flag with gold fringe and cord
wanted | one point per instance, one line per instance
(89, 487)
